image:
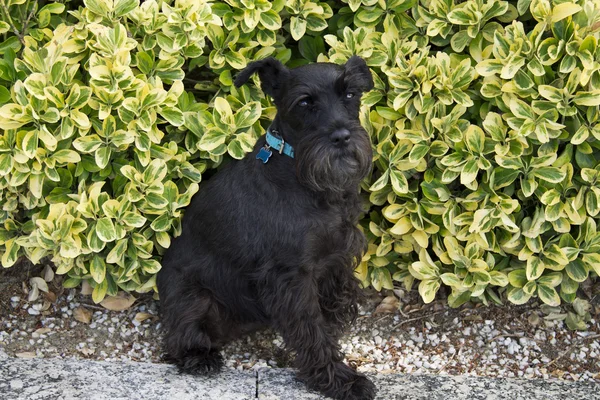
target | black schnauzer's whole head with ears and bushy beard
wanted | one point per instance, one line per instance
(317, 113)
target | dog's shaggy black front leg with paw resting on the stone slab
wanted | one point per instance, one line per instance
(296, 313)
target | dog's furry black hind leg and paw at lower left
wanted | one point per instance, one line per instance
(192, 332)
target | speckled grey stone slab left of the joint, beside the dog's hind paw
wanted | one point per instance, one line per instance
(41, 379)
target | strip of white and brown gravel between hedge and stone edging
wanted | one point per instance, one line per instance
(485, 341)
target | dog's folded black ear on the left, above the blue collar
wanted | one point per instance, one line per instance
(272, 75)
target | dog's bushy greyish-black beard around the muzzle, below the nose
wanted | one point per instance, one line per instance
(324, 167)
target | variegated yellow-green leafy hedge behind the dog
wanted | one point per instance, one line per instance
(483, 121)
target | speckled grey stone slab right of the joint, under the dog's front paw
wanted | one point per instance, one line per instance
(281, 384)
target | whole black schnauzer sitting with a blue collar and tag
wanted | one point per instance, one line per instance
(272, 240)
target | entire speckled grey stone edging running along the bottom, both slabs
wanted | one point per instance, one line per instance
(41, 379)
